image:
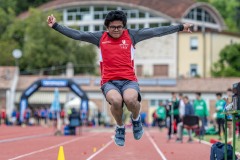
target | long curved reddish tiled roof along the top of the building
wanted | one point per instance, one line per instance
(171, 8)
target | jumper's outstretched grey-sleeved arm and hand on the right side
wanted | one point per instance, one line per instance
(147, 33)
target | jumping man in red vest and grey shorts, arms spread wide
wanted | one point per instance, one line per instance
(118, 79)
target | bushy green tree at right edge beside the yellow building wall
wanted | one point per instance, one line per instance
(228, 65)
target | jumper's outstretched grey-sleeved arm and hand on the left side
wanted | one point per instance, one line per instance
(91, 37)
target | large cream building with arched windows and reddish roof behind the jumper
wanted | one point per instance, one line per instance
(173, 56)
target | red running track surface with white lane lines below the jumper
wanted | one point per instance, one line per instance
(38, 143)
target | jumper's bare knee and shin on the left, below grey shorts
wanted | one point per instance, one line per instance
(116, 101)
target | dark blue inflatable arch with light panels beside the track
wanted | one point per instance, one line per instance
(54, 83)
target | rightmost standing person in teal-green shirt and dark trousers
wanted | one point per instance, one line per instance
(220, 103)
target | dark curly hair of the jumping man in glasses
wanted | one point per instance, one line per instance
(116, 15)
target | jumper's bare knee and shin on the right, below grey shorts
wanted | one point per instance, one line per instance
(130, 97)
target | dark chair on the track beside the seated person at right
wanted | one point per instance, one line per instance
(192, 122)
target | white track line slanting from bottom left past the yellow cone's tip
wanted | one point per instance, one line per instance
(52, 147)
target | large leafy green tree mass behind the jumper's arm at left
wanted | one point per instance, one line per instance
(45, 49)
